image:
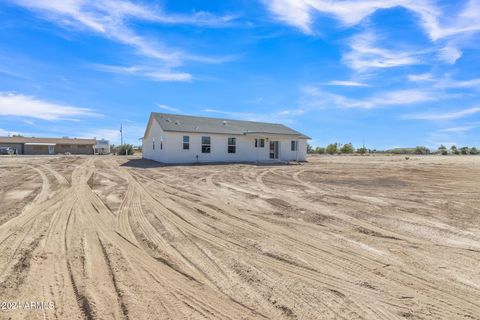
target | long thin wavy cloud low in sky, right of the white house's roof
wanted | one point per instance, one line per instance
(319, 98)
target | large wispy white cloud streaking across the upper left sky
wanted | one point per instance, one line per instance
(111, 19)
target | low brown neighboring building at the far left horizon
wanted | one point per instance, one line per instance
(37, 146)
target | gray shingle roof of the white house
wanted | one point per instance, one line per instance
(182, 123)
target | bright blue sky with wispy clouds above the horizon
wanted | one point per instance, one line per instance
(385, 72)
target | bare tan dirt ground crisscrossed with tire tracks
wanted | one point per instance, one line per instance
(336, 238)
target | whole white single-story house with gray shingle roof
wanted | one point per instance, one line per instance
(173, 138)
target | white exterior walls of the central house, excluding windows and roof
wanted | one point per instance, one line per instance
(169, 147)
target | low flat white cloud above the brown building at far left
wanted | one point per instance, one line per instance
(31, 107)
